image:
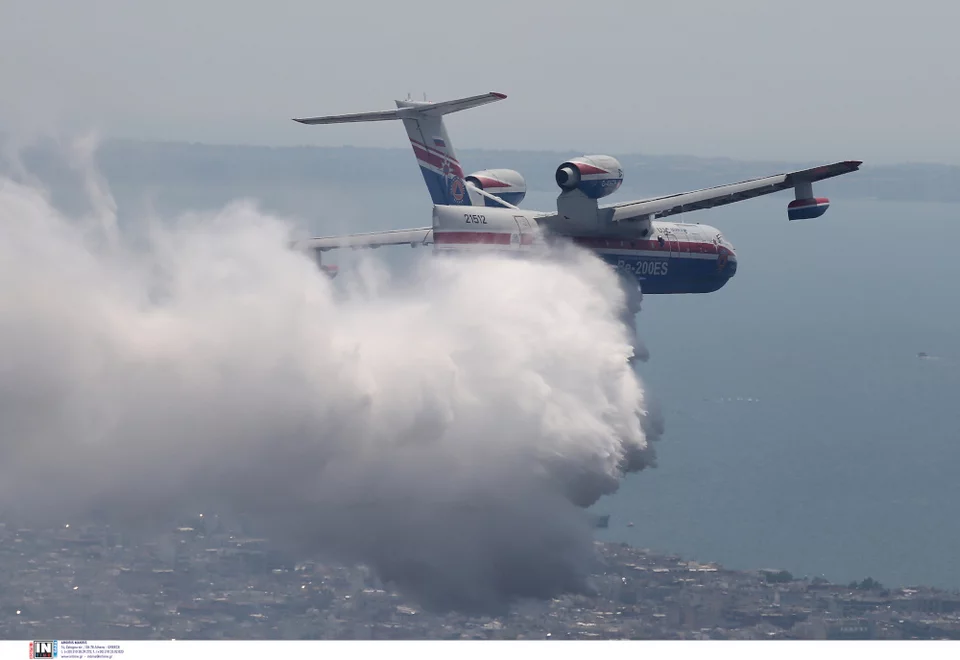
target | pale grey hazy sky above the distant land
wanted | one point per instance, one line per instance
(764, 79)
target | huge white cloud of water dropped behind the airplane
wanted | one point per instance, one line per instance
(443, 429)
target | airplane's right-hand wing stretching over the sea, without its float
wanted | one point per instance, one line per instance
(660, 207)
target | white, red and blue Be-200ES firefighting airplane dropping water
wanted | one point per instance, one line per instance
(478, 211)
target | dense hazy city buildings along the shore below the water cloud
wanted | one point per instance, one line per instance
(220, 583)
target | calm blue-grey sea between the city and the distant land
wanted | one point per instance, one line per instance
(804, 429)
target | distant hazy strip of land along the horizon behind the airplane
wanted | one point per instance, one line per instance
(168, 163)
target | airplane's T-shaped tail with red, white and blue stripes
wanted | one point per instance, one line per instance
(431, 145)
